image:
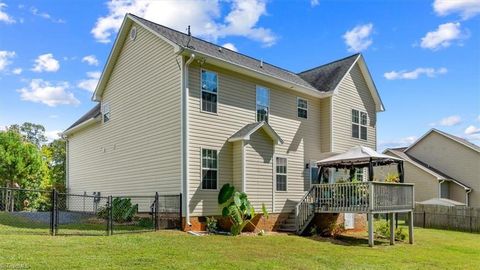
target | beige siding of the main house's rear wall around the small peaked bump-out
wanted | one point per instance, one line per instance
(236, 108)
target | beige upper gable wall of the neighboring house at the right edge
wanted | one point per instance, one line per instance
(452, 158)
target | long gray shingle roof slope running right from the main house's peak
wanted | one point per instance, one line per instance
(205, 47)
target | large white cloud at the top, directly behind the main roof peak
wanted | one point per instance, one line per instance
(204, 16)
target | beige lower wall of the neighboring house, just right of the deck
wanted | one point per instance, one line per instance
(426, 185)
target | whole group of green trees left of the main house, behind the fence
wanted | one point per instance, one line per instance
(29, 161)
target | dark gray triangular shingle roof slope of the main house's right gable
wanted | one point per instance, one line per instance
(325, 78)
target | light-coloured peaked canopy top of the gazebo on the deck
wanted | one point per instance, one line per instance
(358, 155)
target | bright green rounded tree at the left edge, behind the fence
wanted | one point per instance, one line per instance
(21, 162)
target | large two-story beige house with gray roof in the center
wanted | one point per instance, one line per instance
(177, 114)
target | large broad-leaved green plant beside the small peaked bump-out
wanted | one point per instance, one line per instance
(237, 207)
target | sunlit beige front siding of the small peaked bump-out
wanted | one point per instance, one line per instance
(259, 167)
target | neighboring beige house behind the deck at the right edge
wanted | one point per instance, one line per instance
(442, 166)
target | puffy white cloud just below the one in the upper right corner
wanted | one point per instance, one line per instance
(442, 37)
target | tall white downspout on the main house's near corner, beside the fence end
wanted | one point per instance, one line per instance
(185, 140)
